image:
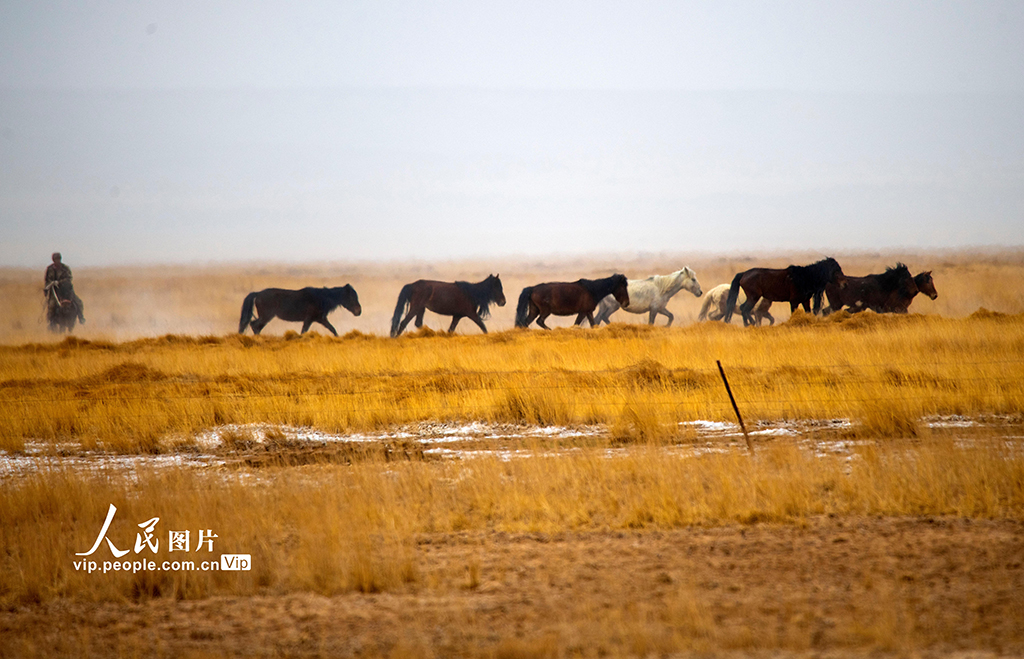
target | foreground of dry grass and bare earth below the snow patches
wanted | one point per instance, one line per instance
(578, 553)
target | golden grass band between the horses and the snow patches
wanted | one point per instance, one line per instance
(885, 373)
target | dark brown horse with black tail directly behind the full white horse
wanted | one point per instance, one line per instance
(568, 298)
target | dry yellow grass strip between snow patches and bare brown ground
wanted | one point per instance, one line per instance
(332, 530)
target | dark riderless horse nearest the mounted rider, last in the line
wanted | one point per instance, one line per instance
(307, 306)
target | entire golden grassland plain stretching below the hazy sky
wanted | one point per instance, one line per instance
(638, 540)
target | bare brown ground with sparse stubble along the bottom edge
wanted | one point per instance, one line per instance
(825, 588)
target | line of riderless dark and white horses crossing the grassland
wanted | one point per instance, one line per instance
(751, 294)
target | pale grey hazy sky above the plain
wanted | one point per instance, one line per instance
(205, 131)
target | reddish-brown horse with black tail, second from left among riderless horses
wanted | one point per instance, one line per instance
(459, 300)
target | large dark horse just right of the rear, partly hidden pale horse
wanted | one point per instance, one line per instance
(796, 285)
